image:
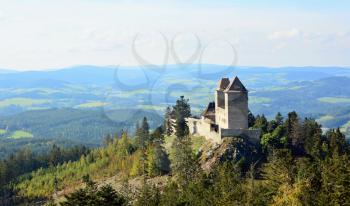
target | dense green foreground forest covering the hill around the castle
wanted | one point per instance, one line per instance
(295, 163)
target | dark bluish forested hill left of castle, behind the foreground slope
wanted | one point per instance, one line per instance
(40, 129)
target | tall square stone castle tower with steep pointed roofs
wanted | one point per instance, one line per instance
(231, 104)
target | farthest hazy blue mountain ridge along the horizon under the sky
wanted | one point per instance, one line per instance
(106, 75)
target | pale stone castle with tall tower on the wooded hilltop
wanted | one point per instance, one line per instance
(227, 116)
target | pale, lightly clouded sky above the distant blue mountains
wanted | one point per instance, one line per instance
(39, 35)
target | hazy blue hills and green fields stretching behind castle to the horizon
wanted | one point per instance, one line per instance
(319, 92)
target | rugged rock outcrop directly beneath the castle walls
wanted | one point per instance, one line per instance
(231, 149)
